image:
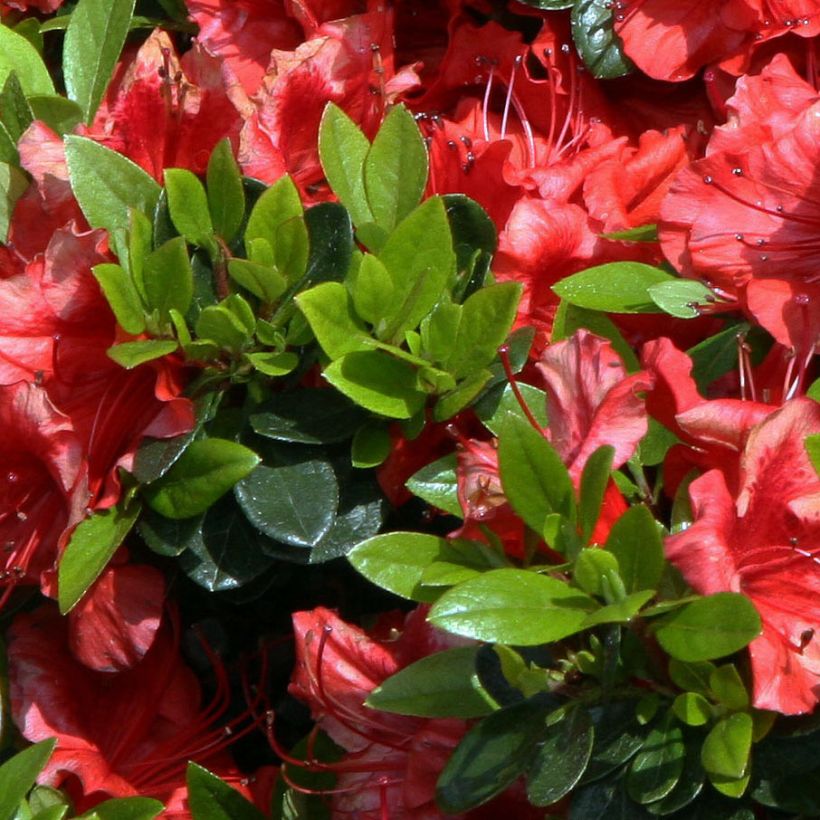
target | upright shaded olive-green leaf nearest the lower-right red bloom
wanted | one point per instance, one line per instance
(635, 540)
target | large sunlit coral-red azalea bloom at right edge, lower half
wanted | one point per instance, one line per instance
(764, 541)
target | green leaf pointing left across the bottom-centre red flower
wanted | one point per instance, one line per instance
(442, 685)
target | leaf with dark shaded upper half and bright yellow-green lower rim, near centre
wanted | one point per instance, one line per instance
(378, 382)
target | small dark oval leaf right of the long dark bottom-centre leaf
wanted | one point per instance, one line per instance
(562, 758)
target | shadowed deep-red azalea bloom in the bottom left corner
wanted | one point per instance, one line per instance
(118, 735)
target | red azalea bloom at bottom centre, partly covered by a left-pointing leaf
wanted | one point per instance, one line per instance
(392, 762)
